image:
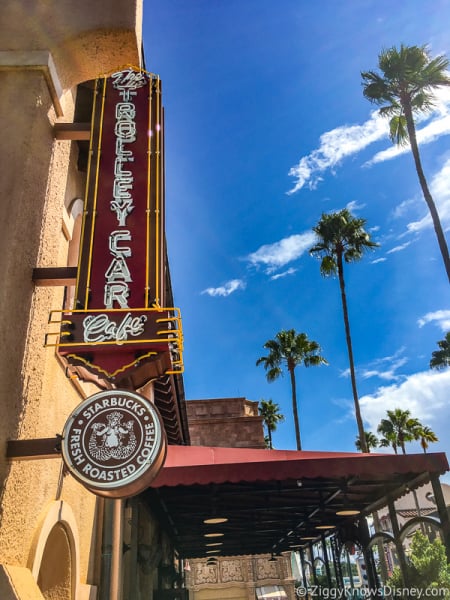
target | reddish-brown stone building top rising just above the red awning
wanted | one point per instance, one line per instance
(226, 422)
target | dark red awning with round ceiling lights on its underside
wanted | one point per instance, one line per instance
(259, 501)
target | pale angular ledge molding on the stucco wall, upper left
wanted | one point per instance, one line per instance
(35, 60)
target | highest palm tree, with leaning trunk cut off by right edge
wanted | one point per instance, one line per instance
(403, 89)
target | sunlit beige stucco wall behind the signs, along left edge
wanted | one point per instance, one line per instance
(46, 48)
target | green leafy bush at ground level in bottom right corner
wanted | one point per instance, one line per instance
(427, 566)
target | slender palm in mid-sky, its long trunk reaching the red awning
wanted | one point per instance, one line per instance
(342, 238)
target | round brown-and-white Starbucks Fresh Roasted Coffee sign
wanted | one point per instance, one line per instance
(114, 443)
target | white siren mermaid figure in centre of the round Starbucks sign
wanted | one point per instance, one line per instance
(112, 439)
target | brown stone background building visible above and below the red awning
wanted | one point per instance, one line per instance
(234, 422)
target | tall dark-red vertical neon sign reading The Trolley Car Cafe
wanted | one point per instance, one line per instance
(119, 325)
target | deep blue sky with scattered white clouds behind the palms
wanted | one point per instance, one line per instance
(266, 129)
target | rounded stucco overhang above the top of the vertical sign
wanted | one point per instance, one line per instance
(85, 38)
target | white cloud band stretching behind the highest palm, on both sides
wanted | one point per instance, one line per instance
(347, 140)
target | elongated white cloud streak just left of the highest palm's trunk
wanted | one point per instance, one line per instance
(335, 145)
